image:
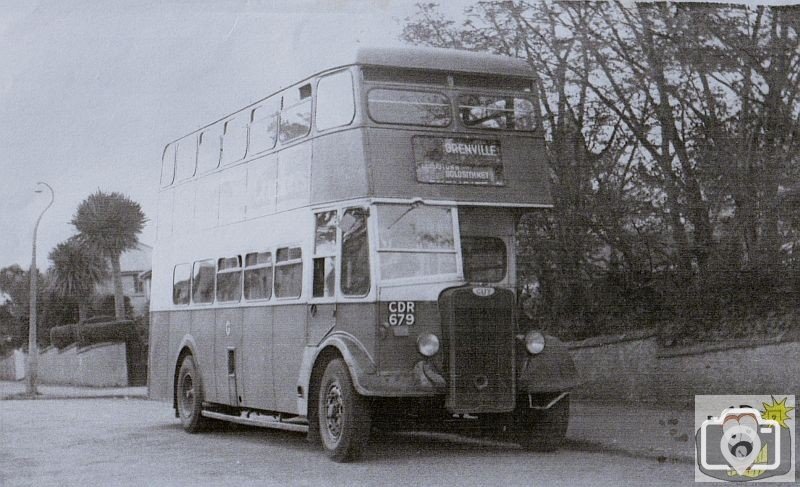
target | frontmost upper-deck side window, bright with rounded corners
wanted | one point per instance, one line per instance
(335, 101)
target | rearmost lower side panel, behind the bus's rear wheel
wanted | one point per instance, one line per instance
(159, 370)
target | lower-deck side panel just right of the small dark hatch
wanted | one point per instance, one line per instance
(256, 358)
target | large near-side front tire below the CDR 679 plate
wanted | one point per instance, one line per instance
(343, 415)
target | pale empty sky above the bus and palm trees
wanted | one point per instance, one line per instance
(90, 92)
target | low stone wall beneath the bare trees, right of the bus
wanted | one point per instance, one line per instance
(633, 368)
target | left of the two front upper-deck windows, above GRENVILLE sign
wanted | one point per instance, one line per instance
(409, 107)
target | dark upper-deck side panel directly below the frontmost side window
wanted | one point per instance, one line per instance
(334, 155)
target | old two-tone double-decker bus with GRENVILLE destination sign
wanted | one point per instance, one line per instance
(341, 255)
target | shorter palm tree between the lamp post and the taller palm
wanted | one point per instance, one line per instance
(76, 270)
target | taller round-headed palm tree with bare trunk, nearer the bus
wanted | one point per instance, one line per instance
(110, 223)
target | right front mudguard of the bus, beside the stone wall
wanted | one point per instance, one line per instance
(552, 370)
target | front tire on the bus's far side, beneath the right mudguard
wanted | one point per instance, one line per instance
(541, 429)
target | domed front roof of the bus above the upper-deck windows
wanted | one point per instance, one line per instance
(442, 60)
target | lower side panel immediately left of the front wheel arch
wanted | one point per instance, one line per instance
(289, 338)
